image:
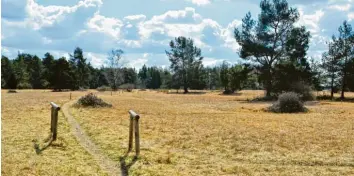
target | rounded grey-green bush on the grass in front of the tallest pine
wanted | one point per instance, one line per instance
(288, 102)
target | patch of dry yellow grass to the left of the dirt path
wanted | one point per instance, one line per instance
(25, 120)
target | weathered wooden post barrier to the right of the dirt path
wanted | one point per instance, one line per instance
(134, 121)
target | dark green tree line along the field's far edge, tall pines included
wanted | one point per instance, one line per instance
(275, 48)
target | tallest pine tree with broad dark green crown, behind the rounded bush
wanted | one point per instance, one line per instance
(272, 38)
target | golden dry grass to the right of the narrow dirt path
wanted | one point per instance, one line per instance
(212, 134)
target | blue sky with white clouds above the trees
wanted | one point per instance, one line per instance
(143, 28)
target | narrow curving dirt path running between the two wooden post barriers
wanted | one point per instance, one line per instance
(108, 165)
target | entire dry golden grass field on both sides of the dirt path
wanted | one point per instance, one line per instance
(195, 134)
